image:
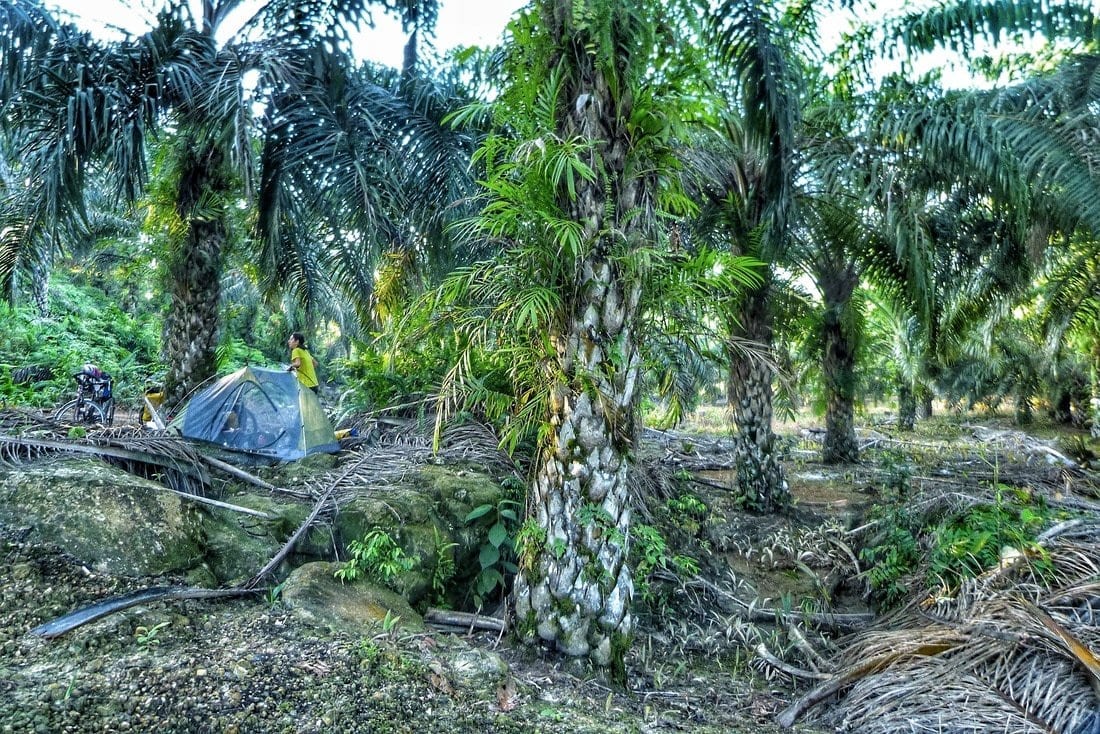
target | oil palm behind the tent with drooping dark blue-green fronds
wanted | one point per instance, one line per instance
(78, 104)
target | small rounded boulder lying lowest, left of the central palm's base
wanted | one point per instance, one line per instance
(316, 596)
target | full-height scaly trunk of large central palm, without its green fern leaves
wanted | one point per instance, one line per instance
(574, 588)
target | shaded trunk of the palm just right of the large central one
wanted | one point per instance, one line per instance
(761, 483)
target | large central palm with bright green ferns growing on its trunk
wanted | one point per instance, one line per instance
(579, 174)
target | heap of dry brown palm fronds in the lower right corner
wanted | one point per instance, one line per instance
(1014, 651)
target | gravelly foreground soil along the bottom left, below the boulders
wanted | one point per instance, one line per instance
(249, 666)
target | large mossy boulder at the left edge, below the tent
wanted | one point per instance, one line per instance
(108, 519)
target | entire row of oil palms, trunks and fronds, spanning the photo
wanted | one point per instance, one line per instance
(626, 201)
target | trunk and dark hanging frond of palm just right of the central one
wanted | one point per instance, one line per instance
(764, 89)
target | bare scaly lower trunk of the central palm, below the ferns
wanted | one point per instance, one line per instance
(575, 587)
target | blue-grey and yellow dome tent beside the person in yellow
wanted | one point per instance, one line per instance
(259, 411)
